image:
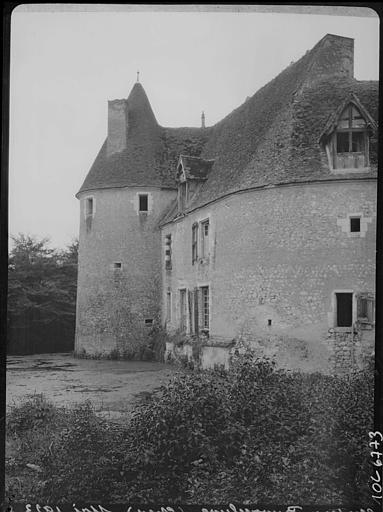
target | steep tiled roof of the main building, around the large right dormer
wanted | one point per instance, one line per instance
(273, 138)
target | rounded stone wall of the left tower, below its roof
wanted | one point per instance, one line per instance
(119, 269)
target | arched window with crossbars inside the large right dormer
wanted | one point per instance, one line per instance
(351, 140)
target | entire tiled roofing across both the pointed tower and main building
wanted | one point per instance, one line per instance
(270, 139)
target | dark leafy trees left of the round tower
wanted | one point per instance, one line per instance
(41, 290)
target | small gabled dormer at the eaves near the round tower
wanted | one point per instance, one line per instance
(191, 172)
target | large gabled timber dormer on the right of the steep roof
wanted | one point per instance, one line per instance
(346, 137)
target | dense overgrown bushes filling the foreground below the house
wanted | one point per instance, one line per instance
(254, 434)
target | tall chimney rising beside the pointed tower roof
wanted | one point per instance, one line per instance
(117, 126)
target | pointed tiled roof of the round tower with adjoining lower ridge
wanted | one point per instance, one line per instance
(151, 152)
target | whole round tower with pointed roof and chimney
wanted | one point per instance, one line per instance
(122, 199)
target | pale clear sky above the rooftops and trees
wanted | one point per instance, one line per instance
(65, 66)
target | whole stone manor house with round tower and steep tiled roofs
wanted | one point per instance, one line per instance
(258, 231)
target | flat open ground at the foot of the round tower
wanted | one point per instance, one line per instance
(112, 386)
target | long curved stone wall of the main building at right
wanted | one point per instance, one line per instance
(276, 257)
